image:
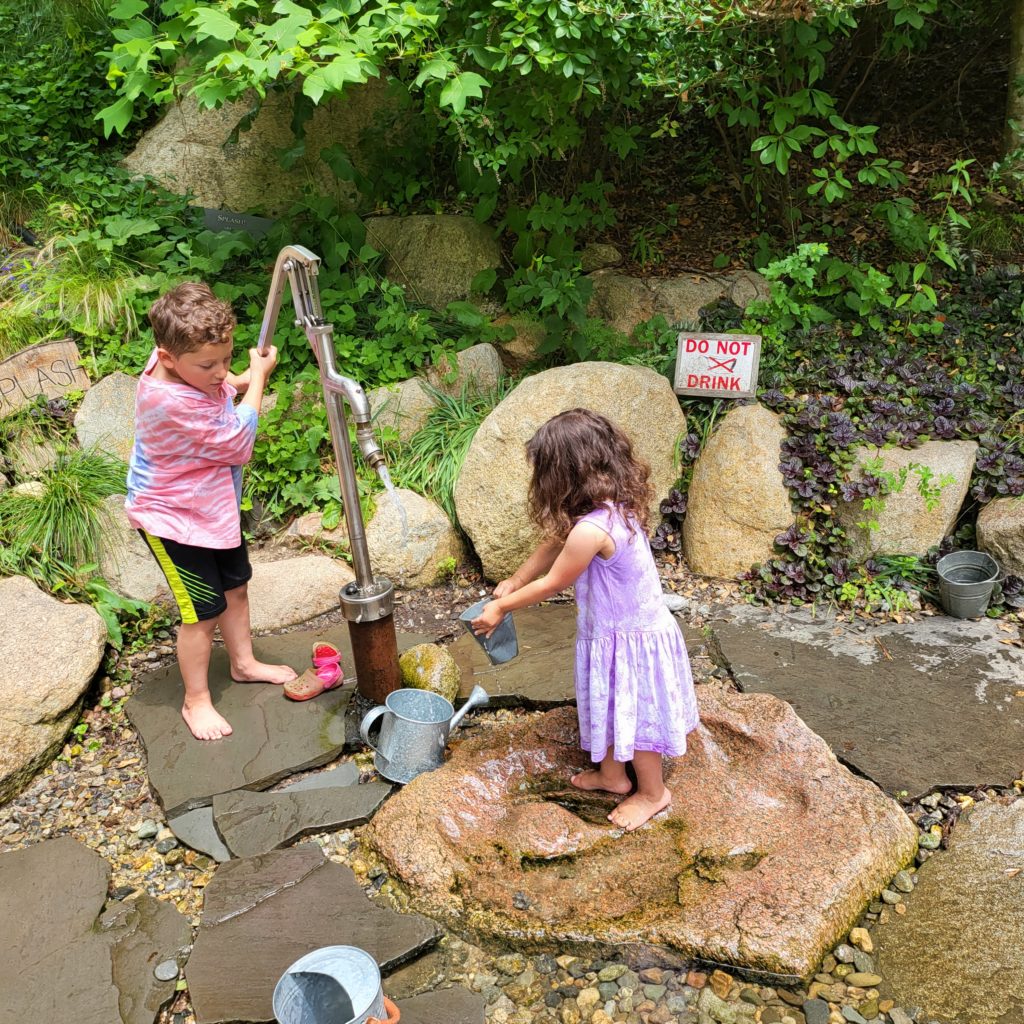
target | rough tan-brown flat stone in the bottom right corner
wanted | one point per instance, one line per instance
(957, 953)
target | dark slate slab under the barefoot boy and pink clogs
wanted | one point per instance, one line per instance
(274, 738)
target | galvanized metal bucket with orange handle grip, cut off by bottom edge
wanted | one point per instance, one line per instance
(331, 986)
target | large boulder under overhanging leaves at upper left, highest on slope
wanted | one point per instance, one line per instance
(189, 151)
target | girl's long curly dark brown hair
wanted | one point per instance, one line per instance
(581, 460)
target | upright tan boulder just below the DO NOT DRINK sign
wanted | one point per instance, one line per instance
(738, 501)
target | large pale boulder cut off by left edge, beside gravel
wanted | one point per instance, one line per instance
(50, 653)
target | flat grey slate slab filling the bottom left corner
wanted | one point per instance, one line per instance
(63, 958)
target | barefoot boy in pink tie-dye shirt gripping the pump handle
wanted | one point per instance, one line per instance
(185, 487)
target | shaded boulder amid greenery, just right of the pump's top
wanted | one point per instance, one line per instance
(435, 259)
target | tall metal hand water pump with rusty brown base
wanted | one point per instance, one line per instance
(368, 603)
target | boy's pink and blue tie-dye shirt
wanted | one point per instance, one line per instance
(185, 476)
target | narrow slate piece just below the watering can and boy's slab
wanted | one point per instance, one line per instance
(252, 824)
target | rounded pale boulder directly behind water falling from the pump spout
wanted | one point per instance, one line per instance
(412, 543)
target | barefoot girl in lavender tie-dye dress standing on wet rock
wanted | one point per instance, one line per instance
(634, 691)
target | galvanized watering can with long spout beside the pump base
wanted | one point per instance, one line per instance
(415, 731)
